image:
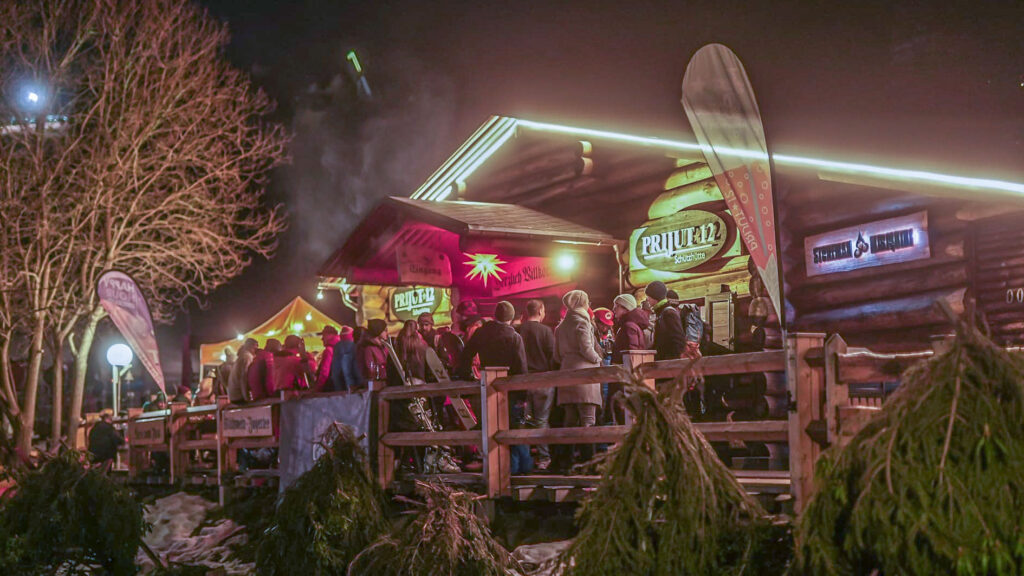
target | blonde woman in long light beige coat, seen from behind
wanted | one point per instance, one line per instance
(576, 347)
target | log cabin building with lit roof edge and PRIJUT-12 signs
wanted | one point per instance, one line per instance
(527, 210)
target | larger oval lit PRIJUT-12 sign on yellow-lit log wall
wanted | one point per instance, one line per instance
(682, 241)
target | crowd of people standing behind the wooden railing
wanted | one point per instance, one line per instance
(355, 359)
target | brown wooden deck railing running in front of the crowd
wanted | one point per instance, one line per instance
(822, 412)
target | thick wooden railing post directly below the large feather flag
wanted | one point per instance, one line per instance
(806, 388)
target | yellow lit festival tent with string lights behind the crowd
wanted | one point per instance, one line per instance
(298, 318)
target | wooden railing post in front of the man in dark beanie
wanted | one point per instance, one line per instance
(497, 463)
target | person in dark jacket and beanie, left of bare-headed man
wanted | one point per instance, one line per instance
(497, 344)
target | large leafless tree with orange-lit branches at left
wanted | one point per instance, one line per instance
(158, 172)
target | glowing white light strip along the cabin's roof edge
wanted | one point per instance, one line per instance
(438, 188)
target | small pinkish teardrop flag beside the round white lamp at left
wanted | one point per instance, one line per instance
(122, 300)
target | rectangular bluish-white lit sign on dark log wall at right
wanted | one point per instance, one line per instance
(885, 242)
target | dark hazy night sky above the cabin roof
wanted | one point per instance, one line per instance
(900, 84)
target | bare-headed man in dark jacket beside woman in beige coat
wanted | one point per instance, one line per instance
(539, 342)
